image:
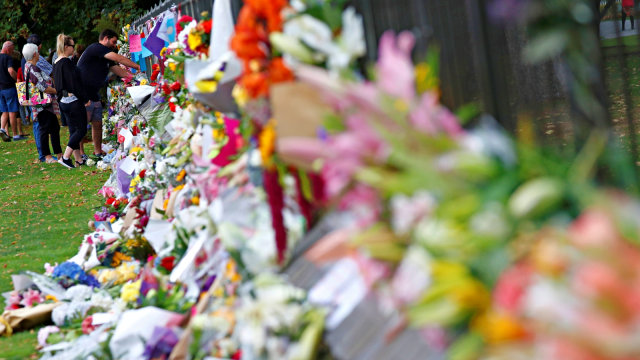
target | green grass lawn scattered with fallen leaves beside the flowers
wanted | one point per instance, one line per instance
(44, 212)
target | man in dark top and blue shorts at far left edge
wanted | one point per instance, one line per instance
(8, 94)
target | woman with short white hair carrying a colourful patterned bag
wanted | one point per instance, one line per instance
(43, 114)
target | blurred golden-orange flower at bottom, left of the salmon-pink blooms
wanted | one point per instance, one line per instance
(498, 328)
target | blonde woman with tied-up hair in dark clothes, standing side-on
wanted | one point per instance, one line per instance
(72, 98)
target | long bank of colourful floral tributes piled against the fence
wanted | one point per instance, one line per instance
(246, 135)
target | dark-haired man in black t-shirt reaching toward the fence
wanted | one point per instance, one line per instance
(94, 65)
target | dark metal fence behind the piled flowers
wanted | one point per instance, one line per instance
(482, 63)
